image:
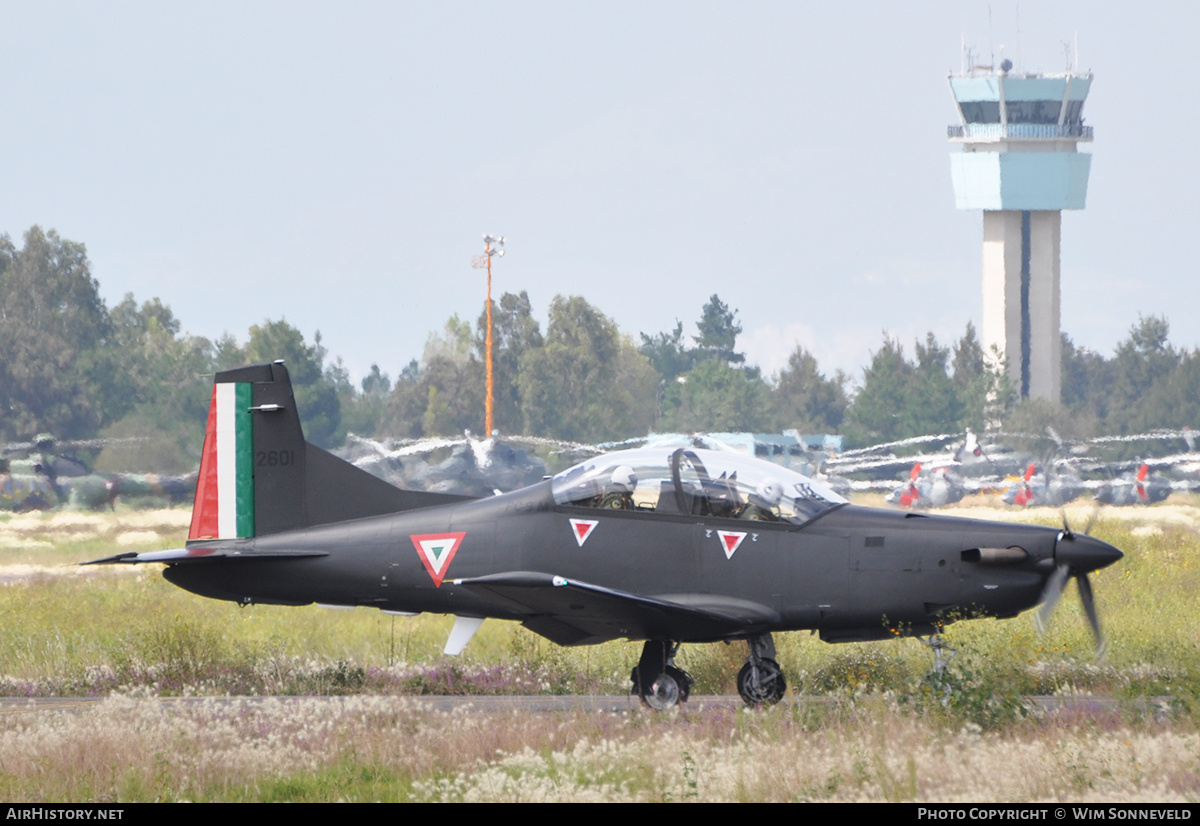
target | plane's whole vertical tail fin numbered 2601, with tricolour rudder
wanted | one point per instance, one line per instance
(259, 476)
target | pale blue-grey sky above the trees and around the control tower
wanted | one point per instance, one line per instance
(338, 164)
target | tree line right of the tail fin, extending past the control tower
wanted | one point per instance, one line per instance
(587, 381)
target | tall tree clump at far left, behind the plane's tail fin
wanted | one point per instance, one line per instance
(74, 368)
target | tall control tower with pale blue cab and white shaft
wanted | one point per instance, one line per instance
(1021, 166)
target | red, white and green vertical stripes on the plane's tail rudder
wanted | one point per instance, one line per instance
(225, 492)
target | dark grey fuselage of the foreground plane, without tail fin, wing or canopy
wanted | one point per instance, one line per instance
(854, 573)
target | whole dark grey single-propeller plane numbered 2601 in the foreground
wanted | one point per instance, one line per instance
(657, 544)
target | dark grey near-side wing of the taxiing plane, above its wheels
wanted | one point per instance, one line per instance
(568, 612)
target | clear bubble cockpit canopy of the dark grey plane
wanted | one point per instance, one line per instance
(703, 483)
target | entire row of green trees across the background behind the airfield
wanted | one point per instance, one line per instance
(76, 368)
